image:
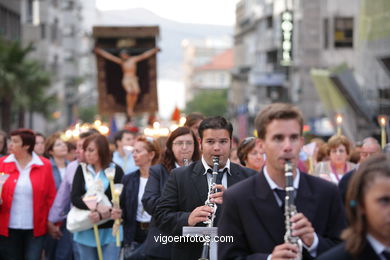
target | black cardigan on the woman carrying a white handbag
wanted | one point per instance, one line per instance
(78, 191)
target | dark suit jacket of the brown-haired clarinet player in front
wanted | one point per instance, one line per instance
(252, 216)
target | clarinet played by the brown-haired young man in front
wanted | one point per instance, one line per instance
(290, 210)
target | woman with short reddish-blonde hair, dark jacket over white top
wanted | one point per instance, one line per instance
(135, 219)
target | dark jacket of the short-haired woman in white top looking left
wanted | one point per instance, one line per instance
(129, 204)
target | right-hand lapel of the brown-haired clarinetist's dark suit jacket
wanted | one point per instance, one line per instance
(305, 200)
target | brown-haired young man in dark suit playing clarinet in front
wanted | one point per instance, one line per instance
(254, 211)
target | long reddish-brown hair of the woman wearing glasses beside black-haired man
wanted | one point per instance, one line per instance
(168, 159)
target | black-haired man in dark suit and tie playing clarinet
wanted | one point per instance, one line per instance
(183, 199)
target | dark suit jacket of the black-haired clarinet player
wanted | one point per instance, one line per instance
(186, 189)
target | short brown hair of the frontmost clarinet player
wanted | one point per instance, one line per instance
(274, 111)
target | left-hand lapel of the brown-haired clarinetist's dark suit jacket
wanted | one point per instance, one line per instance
(269, 212)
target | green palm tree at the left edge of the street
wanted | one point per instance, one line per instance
(24, 84)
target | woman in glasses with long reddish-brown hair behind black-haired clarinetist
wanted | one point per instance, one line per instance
(181, 149)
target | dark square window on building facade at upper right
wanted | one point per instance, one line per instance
(343, 32)
